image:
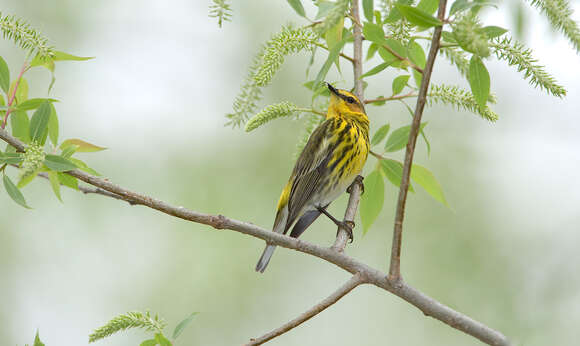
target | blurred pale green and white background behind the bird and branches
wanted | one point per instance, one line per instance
(156, 94)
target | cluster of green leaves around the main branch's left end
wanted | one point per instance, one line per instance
(39, 131)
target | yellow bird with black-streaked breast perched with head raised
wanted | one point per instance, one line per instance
(330, 162)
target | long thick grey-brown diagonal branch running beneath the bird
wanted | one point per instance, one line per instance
(427, 305)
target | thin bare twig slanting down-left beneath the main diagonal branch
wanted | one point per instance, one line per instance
(313, 311)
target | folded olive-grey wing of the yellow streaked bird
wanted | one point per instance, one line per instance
(310, 168)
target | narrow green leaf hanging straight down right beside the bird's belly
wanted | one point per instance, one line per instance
(372, 200)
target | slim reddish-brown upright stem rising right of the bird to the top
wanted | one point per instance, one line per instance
(395, 266)
